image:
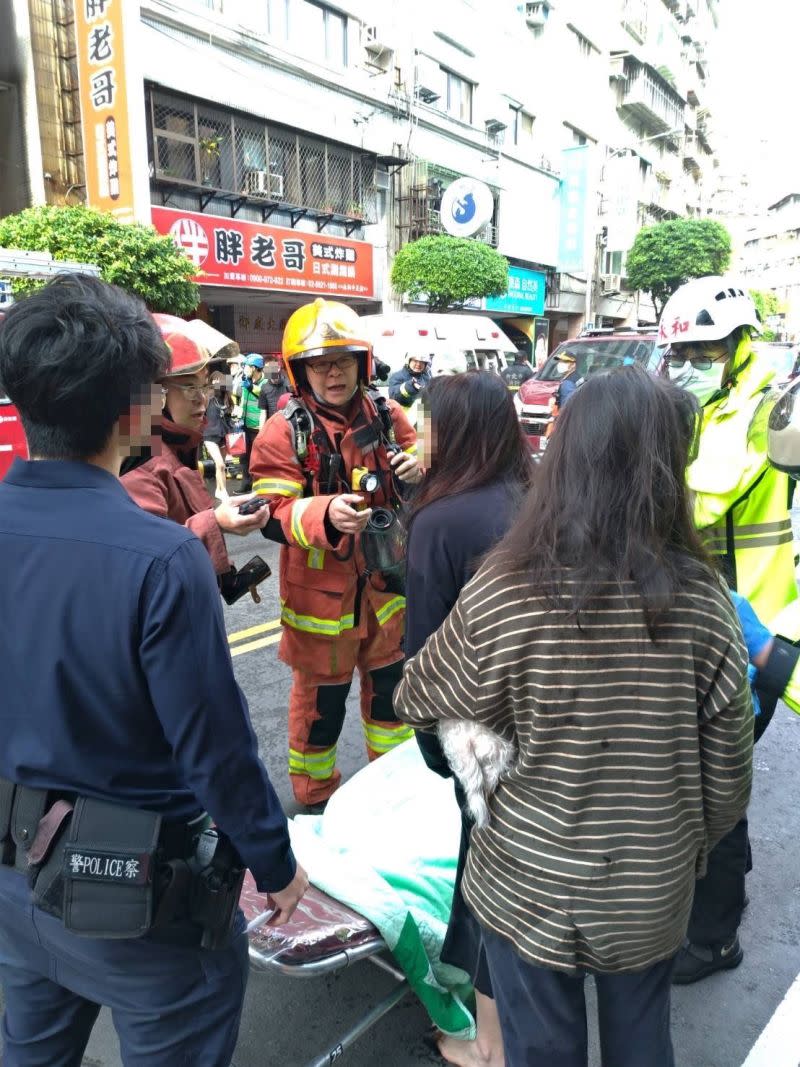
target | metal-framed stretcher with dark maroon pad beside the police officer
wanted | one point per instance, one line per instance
(323, 937)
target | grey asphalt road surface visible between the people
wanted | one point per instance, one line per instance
(291, 1022)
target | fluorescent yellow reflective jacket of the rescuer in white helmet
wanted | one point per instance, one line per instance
(742, 503)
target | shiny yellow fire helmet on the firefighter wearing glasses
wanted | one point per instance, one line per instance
(316, 329)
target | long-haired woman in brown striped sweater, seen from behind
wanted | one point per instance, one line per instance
(599, 641)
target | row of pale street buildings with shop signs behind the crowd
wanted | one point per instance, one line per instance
(291, 148)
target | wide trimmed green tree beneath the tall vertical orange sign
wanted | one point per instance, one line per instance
(135, 258)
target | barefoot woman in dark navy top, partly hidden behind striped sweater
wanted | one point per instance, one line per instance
(479, 468)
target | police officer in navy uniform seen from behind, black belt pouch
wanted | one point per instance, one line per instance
(121, 720)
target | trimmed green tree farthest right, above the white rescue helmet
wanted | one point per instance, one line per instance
(665, 257)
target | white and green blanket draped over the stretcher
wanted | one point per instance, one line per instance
(388, 848)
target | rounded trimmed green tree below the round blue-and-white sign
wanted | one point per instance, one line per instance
(450, 272)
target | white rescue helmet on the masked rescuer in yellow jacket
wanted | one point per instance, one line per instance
(707, 309)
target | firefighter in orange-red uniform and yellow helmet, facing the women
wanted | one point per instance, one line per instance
(334, 466)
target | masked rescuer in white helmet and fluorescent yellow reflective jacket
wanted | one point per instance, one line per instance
(743, 508)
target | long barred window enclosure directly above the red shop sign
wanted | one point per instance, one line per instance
(222, 154)
